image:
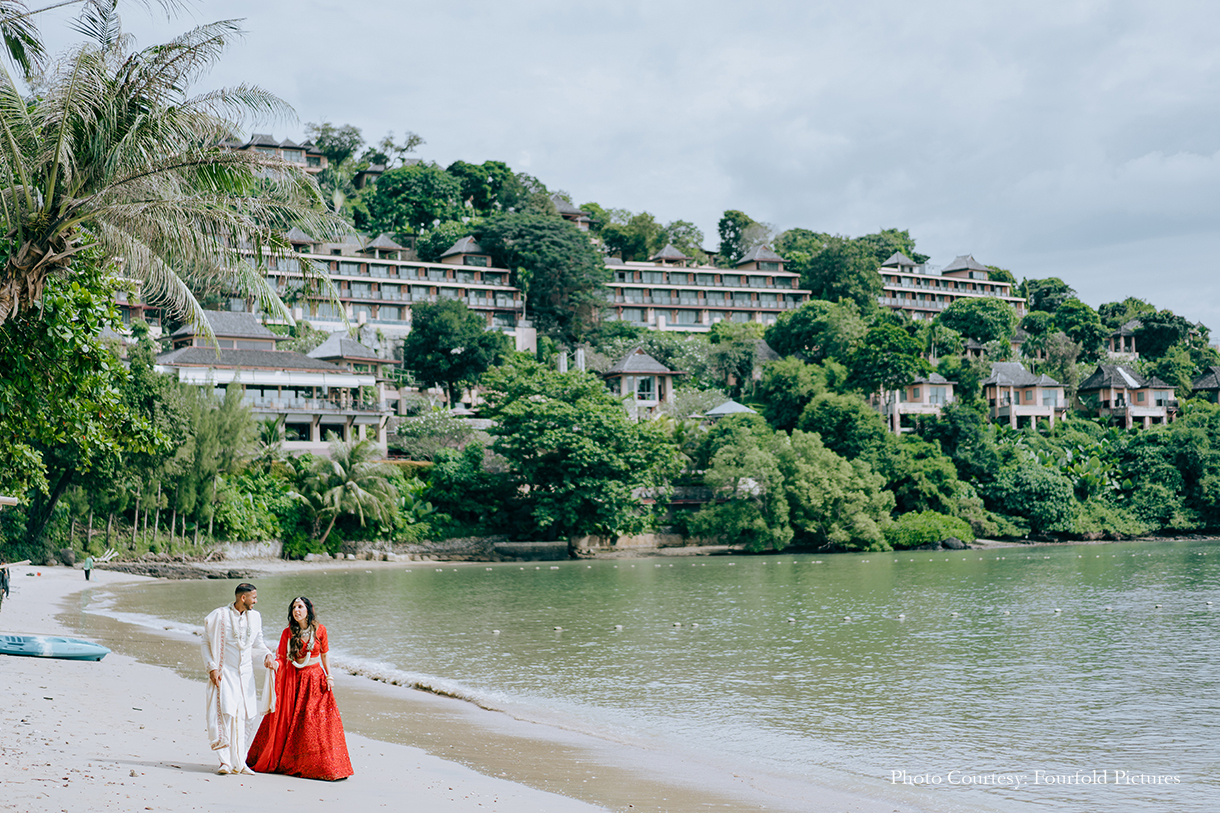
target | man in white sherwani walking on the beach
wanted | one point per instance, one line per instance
(232, 639)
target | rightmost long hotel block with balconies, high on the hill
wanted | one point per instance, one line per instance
(923, 294)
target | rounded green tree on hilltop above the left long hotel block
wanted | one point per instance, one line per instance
(413, 198)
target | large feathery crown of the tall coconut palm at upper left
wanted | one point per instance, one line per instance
(114, 150)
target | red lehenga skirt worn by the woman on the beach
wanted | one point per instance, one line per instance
(304, 735)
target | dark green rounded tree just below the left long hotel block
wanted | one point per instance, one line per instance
(451, 346)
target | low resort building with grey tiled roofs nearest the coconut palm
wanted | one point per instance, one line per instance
(309, 397)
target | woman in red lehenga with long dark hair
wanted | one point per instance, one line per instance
(303, 735)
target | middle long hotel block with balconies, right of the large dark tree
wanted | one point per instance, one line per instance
(670, 292)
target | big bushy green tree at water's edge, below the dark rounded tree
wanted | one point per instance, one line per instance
(575, 456)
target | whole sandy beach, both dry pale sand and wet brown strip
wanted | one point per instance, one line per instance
(127, 735)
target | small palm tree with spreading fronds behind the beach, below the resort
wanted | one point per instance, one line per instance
(350, 483)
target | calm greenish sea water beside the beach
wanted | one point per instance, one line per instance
(951, 670)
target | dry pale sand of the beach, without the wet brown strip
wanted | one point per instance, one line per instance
(123, 735)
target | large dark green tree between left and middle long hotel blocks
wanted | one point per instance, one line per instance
(565, 274)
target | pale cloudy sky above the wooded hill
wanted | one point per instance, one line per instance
(1075, 139)
